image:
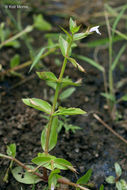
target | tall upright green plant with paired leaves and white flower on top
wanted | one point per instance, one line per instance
(29, 174)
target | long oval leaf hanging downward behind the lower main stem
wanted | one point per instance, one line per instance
(53, 135)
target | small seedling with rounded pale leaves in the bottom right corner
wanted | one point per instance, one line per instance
(119, 183)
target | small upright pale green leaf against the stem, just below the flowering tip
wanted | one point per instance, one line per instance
(63, 46)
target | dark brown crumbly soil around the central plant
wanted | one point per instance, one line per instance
(91, 147)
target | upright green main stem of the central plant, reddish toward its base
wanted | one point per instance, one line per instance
(56, 98)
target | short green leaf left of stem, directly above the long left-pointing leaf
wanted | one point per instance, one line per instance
(49, 76)
